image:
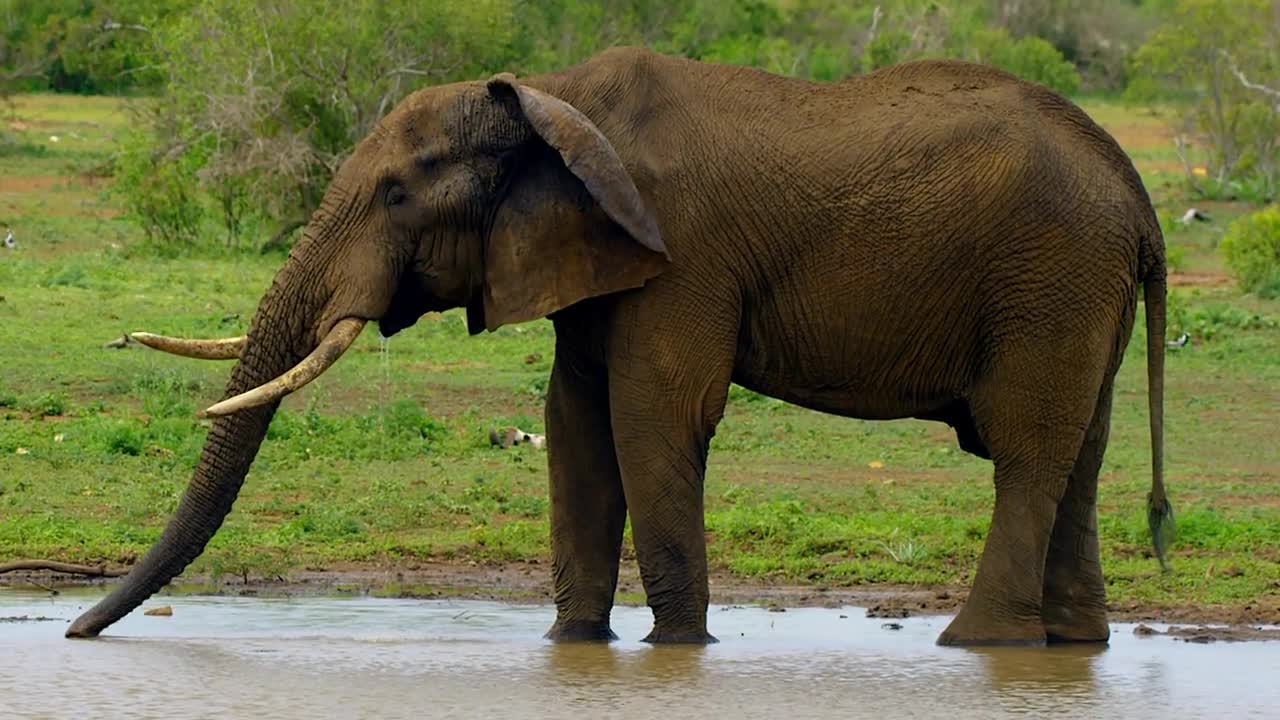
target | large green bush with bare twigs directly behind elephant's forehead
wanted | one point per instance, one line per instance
(263, 103)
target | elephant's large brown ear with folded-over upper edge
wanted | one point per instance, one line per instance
(573, 225)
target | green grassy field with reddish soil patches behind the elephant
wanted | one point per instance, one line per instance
(386, 461)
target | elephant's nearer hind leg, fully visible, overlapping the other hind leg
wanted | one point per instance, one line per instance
(1032, 414)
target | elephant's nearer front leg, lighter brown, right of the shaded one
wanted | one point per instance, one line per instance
(668, 395)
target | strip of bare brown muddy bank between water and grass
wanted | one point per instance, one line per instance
(531, 582)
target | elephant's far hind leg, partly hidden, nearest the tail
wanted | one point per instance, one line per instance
(1076, 603)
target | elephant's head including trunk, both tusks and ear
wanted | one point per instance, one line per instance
(491, 195)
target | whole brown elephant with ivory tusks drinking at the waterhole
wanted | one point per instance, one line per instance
(935, 240)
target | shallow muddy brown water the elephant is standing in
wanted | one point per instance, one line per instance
(322, 658)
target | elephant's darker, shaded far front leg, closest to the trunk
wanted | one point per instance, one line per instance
(587, 502)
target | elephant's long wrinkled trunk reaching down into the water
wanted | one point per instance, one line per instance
(281, 335)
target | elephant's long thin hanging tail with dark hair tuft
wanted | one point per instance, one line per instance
(1160, 512)
